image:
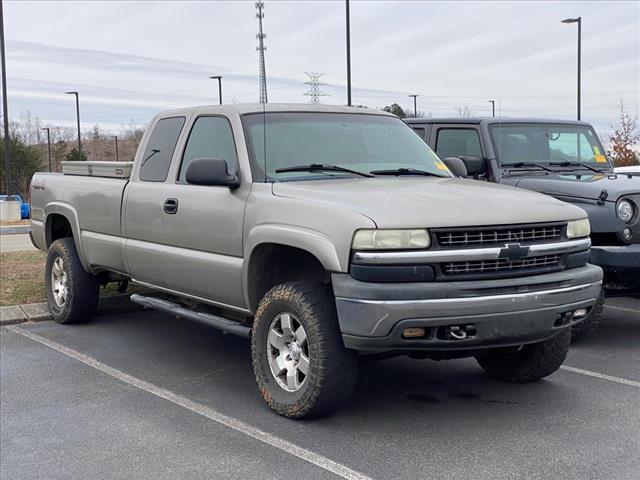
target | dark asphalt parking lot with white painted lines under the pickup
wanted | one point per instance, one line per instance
(145, 395)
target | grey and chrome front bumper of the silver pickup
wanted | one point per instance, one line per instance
(502, 312)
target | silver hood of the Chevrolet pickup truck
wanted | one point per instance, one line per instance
(406, 202)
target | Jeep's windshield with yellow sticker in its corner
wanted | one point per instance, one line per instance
(547, 143)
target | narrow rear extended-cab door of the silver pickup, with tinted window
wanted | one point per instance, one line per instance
(142, 214)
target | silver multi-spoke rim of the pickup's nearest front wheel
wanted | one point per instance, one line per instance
(288, 352)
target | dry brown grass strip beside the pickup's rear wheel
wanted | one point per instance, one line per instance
(22, 279)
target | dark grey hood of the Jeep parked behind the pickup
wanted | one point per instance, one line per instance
(578, 186)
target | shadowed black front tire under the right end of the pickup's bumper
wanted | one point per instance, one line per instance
(526, 363)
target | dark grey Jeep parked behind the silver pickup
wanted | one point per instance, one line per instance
(564, 159)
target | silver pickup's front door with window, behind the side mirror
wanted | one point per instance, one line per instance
(203, 231)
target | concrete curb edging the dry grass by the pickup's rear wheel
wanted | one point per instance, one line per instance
(39, 312)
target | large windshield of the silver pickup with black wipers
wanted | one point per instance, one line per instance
(282, 142)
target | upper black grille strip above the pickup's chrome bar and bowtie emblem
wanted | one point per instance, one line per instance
(492, 236)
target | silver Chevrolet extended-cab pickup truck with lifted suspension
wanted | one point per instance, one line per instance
(324, 234)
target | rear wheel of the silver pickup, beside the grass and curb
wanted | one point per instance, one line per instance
(72, 292)
